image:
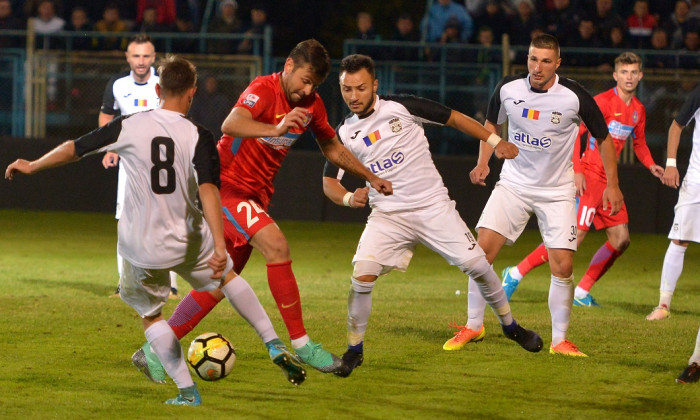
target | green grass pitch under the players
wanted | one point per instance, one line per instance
(65, 346)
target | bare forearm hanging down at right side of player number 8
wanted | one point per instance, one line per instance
(211, 206)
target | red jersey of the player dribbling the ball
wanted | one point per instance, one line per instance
(249, 165)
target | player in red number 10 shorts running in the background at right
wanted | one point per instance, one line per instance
(626, 117)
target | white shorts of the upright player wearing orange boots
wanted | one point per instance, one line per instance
(508, 211)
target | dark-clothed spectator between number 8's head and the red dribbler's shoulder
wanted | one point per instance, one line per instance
(210, 106)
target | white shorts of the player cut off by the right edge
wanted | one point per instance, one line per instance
(686, 221)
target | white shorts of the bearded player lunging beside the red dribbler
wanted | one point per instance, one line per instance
(390, 238)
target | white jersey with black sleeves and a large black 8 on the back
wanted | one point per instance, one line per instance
(166, 156)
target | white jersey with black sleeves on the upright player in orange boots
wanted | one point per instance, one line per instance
(544, 125)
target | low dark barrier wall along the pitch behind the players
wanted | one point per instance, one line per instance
(87, 186)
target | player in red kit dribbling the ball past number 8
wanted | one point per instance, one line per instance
(268, 118)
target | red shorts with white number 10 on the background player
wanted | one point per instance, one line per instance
(590, 208)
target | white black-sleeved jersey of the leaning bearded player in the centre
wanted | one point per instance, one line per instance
(391, 143)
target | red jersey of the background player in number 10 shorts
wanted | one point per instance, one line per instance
(623, 121)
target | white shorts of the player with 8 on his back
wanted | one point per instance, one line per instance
(147, 289)
